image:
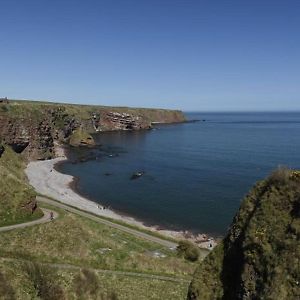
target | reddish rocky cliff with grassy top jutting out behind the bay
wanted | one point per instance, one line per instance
(31, 128)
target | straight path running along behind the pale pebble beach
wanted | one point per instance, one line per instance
(126, 229)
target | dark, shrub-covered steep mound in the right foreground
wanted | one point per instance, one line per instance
(260, 256)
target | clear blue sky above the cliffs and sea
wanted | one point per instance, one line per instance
(191, 54)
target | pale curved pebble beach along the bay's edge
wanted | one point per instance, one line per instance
(46, 180)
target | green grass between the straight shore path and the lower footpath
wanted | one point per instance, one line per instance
(76, 240)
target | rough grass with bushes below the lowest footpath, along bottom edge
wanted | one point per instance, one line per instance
(22, 280)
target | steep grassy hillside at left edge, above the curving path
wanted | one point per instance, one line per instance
(15, 193)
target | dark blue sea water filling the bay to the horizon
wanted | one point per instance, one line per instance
(196, 174)
